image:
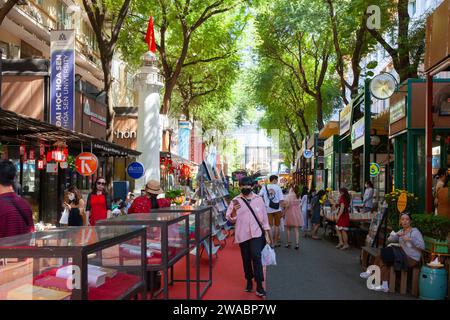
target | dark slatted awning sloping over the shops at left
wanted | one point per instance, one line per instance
(17, 128)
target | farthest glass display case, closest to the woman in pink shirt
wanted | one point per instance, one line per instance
(200, 220)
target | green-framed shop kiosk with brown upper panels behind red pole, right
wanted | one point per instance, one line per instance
(407, 131)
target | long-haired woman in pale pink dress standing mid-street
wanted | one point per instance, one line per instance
(293, 216)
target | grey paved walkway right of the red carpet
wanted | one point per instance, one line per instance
(320, 271)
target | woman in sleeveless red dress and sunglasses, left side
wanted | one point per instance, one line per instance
(98, 204)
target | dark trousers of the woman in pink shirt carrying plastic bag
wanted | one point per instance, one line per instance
(251, 258)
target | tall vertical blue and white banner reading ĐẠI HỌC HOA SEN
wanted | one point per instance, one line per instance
(62, 84)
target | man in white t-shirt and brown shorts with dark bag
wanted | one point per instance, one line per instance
(273, 198)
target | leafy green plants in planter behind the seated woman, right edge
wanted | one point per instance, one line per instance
(435, 231)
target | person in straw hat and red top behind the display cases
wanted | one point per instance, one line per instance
(144, 204)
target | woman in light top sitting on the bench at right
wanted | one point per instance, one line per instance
(411, 246)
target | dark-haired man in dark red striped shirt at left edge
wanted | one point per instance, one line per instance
(16, 216)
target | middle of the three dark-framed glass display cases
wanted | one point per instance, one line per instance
(167, 242)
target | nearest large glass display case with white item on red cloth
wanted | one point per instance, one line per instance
(74, 263)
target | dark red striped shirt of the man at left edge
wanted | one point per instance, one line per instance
(12, 222)
